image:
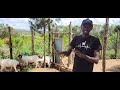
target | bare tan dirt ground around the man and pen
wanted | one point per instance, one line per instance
(112, 65)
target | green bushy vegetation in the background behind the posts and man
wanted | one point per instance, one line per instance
(22, 43)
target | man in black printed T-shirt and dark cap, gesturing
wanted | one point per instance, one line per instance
(85, 47)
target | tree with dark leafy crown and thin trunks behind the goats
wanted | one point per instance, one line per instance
(41, 24)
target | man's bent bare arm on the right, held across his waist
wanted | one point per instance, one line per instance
(94, 59)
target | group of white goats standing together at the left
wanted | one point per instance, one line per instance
(22, 62)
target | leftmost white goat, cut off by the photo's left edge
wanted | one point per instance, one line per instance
(8, 63)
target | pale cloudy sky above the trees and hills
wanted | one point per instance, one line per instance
(22, 23)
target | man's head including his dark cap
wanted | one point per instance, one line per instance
(86, 26)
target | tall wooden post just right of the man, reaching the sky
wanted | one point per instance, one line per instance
(105, 44)
